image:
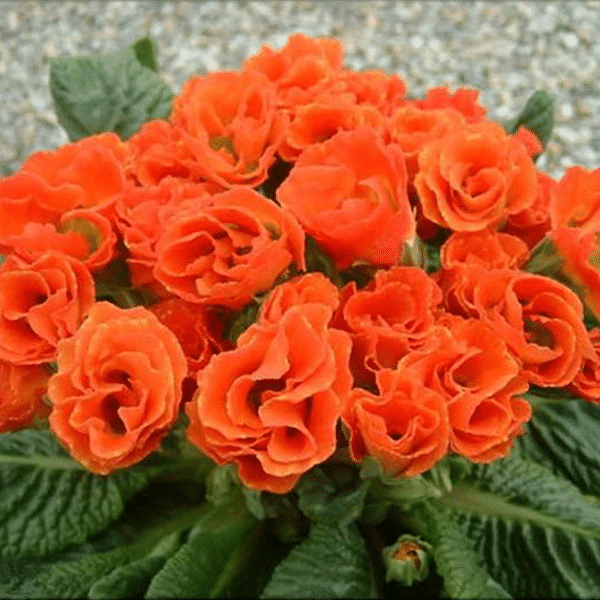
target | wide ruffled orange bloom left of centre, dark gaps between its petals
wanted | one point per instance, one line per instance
(227, 248)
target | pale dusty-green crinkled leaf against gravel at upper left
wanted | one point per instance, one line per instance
(110, 92)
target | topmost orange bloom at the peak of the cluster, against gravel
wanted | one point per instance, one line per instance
(303, 68)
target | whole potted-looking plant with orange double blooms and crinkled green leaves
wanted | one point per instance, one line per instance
(294, 333)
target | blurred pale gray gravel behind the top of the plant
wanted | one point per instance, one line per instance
(506, 49)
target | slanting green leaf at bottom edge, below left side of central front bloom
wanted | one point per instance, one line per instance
(209, 560)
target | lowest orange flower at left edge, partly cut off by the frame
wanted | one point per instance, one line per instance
(22, 388)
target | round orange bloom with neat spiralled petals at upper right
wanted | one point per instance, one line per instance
(473, 177)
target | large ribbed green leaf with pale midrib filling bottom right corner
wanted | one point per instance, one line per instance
(535, 532)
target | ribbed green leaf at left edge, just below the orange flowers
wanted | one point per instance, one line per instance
(48, 501)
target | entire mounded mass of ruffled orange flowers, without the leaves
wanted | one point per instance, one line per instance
(297, 198)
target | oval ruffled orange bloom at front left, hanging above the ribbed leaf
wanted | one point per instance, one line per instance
(118, 387)
